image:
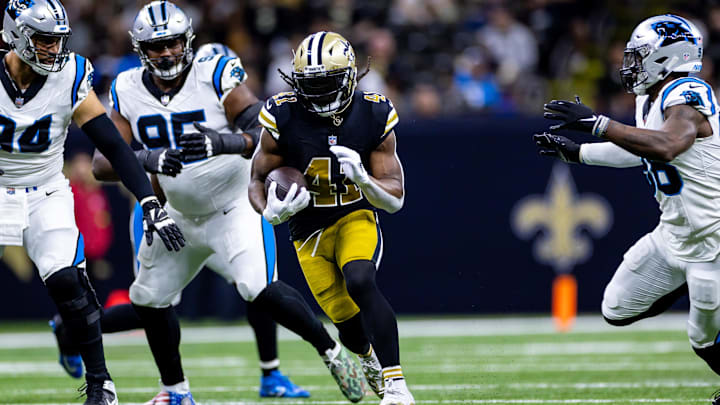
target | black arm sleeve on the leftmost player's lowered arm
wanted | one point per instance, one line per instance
(111, 144)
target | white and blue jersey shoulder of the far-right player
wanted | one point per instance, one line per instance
(690, 91)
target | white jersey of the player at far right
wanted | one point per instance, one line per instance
(688, 188)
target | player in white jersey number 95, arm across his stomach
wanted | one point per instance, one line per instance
(184, 111)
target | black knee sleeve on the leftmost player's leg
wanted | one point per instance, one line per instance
(75, 298)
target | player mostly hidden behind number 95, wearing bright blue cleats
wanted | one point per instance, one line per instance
(123, 317)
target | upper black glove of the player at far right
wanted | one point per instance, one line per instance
(575, 116)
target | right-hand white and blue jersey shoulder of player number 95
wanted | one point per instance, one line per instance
(223, 73)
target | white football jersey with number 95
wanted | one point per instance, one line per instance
(157, 121)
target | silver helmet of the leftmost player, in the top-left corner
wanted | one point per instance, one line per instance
(38, 32)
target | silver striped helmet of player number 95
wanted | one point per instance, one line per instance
(160, 25)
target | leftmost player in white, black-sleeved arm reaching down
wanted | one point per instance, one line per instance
(46, 86)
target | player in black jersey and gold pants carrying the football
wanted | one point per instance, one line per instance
(344, 143)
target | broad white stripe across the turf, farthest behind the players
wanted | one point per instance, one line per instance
(439, 327)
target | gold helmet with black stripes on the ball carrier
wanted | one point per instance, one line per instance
(324, 74)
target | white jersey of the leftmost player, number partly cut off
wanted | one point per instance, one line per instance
(34, 123)
